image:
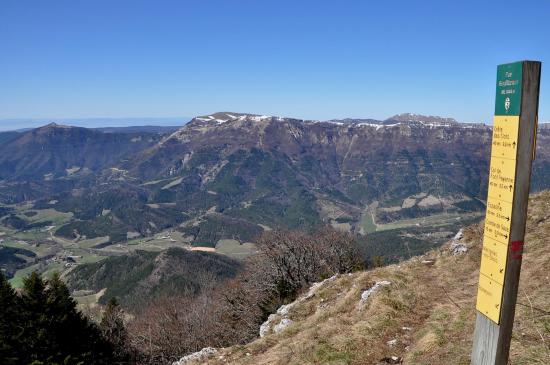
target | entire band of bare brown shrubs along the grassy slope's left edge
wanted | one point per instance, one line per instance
(231, 312)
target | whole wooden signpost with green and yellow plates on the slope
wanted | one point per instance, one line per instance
(513, 150)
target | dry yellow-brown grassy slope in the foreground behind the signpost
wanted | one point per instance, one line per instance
(437, 302)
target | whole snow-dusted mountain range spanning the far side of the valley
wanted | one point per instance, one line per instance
(231, 175)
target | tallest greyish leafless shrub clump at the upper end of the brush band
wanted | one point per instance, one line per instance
(287, 263)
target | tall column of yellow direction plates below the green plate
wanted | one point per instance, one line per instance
(498, 217)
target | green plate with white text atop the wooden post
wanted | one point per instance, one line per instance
(508, 99)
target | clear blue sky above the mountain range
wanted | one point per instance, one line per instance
(306, 59)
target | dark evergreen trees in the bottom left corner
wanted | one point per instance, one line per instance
(41, 325)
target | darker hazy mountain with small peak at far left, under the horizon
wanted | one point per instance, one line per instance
(56, 150)
